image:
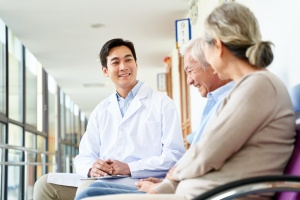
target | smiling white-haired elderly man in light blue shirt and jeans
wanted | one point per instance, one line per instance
(201, 76)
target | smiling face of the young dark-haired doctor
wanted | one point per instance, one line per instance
(121, 68)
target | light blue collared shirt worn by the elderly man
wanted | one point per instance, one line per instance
(214, 100)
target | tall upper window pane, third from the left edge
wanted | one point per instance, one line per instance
(31, 64)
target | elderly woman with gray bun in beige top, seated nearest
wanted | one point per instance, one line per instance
(253, 130)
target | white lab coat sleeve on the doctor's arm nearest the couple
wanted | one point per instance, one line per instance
(171, 142)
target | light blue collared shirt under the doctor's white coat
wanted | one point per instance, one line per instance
(125, 103)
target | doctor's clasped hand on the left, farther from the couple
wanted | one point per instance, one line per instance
(101, 168)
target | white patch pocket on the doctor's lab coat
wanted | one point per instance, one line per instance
(149, 133)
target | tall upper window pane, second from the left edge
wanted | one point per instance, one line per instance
(15, 78)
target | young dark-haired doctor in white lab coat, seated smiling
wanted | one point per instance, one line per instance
(136, 131)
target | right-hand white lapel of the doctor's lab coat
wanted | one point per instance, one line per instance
(136, 103)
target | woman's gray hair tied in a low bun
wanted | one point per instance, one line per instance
(237, 27)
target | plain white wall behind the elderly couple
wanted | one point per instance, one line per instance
(279, 22)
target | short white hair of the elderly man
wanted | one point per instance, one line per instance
(195, 46)
